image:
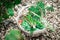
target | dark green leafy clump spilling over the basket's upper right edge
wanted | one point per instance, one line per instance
(38, 9)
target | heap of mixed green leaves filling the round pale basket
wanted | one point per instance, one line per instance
(33, 20)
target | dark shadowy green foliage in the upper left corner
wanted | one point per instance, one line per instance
(6, 8)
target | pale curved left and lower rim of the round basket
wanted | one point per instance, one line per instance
(27, 33)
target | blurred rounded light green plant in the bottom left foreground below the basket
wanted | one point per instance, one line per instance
(14, 35)
